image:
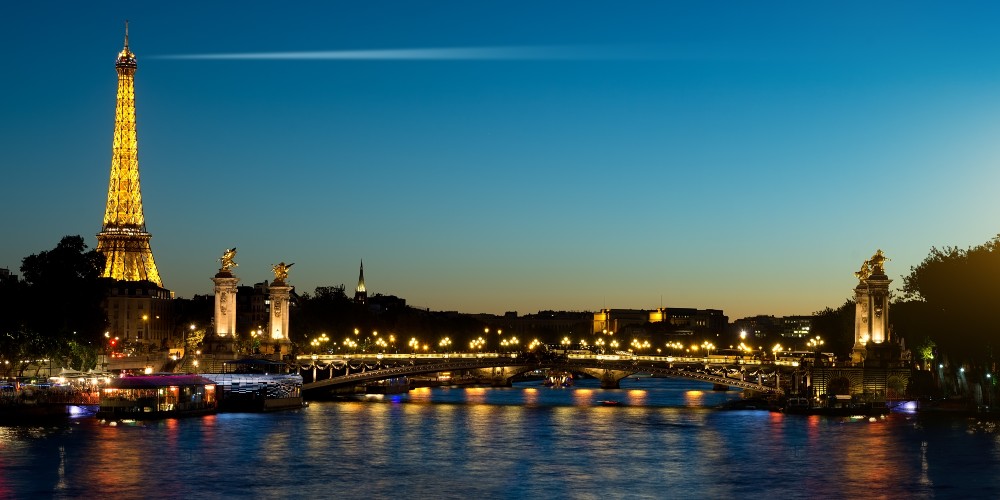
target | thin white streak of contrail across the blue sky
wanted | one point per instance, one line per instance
(519, 53)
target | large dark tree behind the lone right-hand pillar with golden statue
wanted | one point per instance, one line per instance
(954, 296)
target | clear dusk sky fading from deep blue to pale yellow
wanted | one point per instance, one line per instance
(516, 156)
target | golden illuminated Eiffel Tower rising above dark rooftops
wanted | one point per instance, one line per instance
(123, 238)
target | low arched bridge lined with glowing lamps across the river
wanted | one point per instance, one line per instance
(333, 372)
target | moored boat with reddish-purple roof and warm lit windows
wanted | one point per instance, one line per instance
(157, 396)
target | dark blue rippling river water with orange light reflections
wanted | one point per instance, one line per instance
(663, 441)
